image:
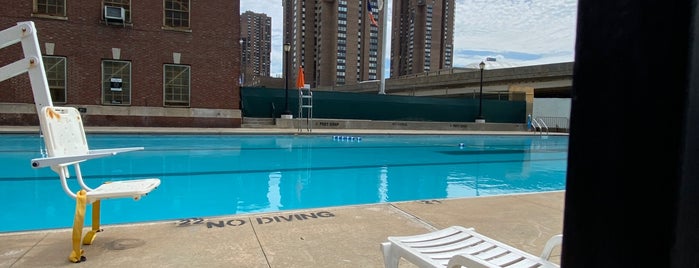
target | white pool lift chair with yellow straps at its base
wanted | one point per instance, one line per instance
(65, 140)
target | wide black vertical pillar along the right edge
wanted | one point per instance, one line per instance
(632, 192)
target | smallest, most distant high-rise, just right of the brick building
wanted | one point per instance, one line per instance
(256, 47)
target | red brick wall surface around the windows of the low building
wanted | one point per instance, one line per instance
(211, 49)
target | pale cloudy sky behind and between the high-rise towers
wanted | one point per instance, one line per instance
(514, 32)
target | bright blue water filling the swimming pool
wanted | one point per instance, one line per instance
(214, 175)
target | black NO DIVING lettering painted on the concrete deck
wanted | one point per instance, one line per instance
(259, 220)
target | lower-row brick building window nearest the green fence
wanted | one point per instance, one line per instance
(176, 85)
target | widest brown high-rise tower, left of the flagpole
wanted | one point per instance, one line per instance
(335, 41)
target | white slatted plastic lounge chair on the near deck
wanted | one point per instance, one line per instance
(457, 246)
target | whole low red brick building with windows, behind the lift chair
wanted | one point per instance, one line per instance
(131, 63)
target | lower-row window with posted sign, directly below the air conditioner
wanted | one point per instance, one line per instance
(116, 82)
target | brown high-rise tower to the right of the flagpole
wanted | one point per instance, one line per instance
(422, 36)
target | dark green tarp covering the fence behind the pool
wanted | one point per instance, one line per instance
(271, 102)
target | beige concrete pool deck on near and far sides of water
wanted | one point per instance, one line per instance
(347, 236)
